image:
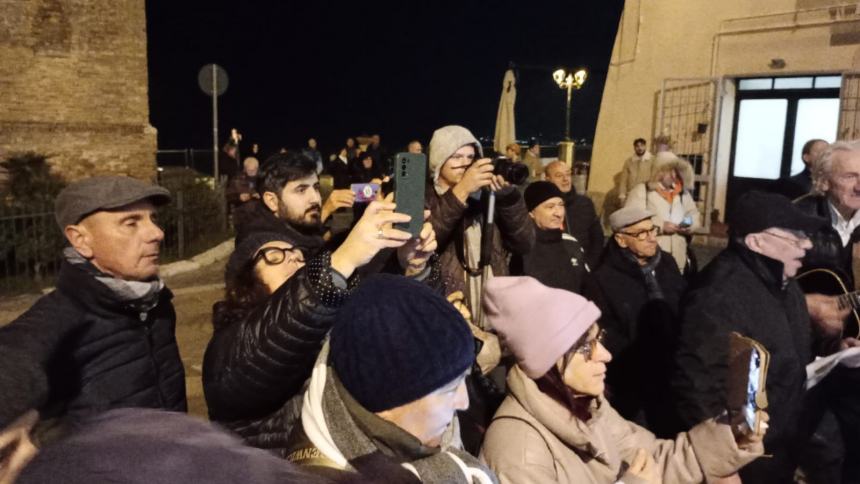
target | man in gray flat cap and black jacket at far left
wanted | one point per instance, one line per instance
(105, 337)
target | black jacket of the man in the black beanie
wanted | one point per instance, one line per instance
(556, 260)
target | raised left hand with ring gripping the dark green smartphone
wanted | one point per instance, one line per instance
(372, 233)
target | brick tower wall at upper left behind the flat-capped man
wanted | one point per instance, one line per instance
(73, 84)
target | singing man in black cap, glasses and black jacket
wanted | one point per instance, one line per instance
(750, 288)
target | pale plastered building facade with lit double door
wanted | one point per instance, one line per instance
(736, 86)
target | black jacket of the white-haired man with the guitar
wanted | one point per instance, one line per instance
(827, 250)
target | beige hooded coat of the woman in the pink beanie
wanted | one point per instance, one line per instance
(534, 439)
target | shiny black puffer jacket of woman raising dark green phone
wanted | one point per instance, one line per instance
(256, 362)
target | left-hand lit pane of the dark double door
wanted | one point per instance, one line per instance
(761, 129)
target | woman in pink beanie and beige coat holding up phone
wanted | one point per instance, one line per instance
(555, 425)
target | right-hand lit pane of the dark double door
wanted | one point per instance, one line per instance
(816, 118)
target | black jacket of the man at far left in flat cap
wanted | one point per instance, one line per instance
(79, 349)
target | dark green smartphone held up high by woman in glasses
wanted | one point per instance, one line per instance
(410, 172)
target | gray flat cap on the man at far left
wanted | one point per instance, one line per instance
(90, 195)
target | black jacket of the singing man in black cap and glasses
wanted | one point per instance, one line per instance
(743, 291)
